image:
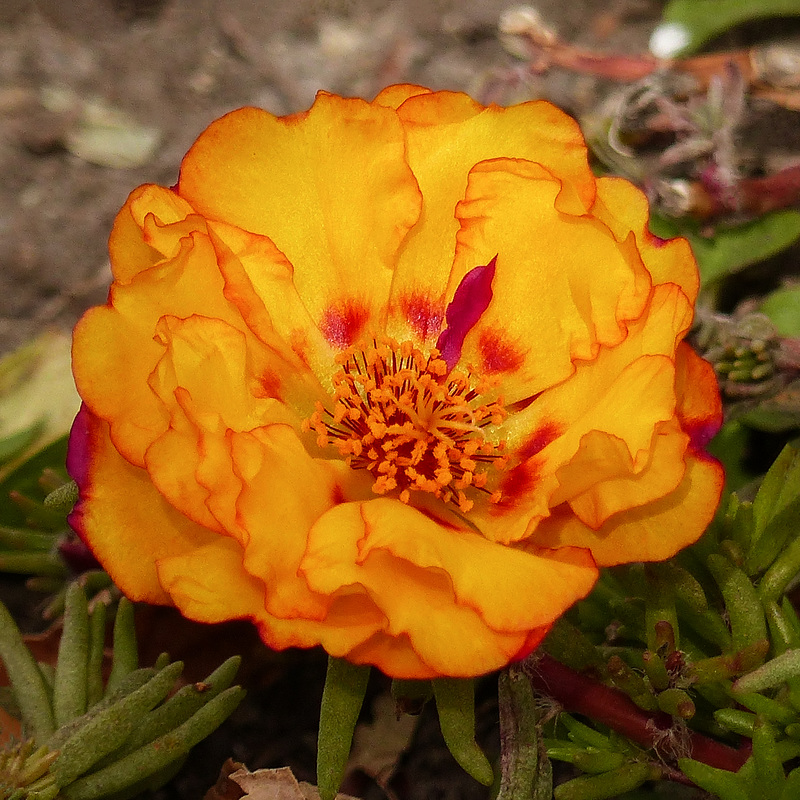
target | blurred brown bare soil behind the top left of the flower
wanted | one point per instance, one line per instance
(175, 65)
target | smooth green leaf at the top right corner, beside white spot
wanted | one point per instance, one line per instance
(705, 19)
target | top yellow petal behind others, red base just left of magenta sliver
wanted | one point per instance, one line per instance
(447, 135)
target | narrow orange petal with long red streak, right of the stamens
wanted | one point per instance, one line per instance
(624, 392)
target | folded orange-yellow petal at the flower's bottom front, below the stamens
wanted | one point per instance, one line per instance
(429, 591)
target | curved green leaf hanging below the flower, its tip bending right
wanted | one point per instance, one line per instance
(455, 703)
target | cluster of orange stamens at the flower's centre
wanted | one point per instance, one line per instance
(401, 415)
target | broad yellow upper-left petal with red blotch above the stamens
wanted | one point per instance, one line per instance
(331, 189)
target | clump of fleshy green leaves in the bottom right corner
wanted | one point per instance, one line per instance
(709, 638)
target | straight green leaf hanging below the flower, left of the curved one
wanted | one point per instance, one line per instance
(342, 698)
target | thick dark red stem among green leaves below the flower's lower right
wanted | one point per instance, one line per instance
(583, 695)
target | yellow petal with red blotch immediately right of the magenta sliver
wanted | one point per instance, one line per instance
(563, 286)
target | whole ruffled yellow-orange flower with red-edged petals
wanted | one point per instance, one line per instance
(392, 378)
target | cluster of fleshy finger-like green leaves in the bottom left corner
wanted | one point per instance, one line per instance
(86, 745)
